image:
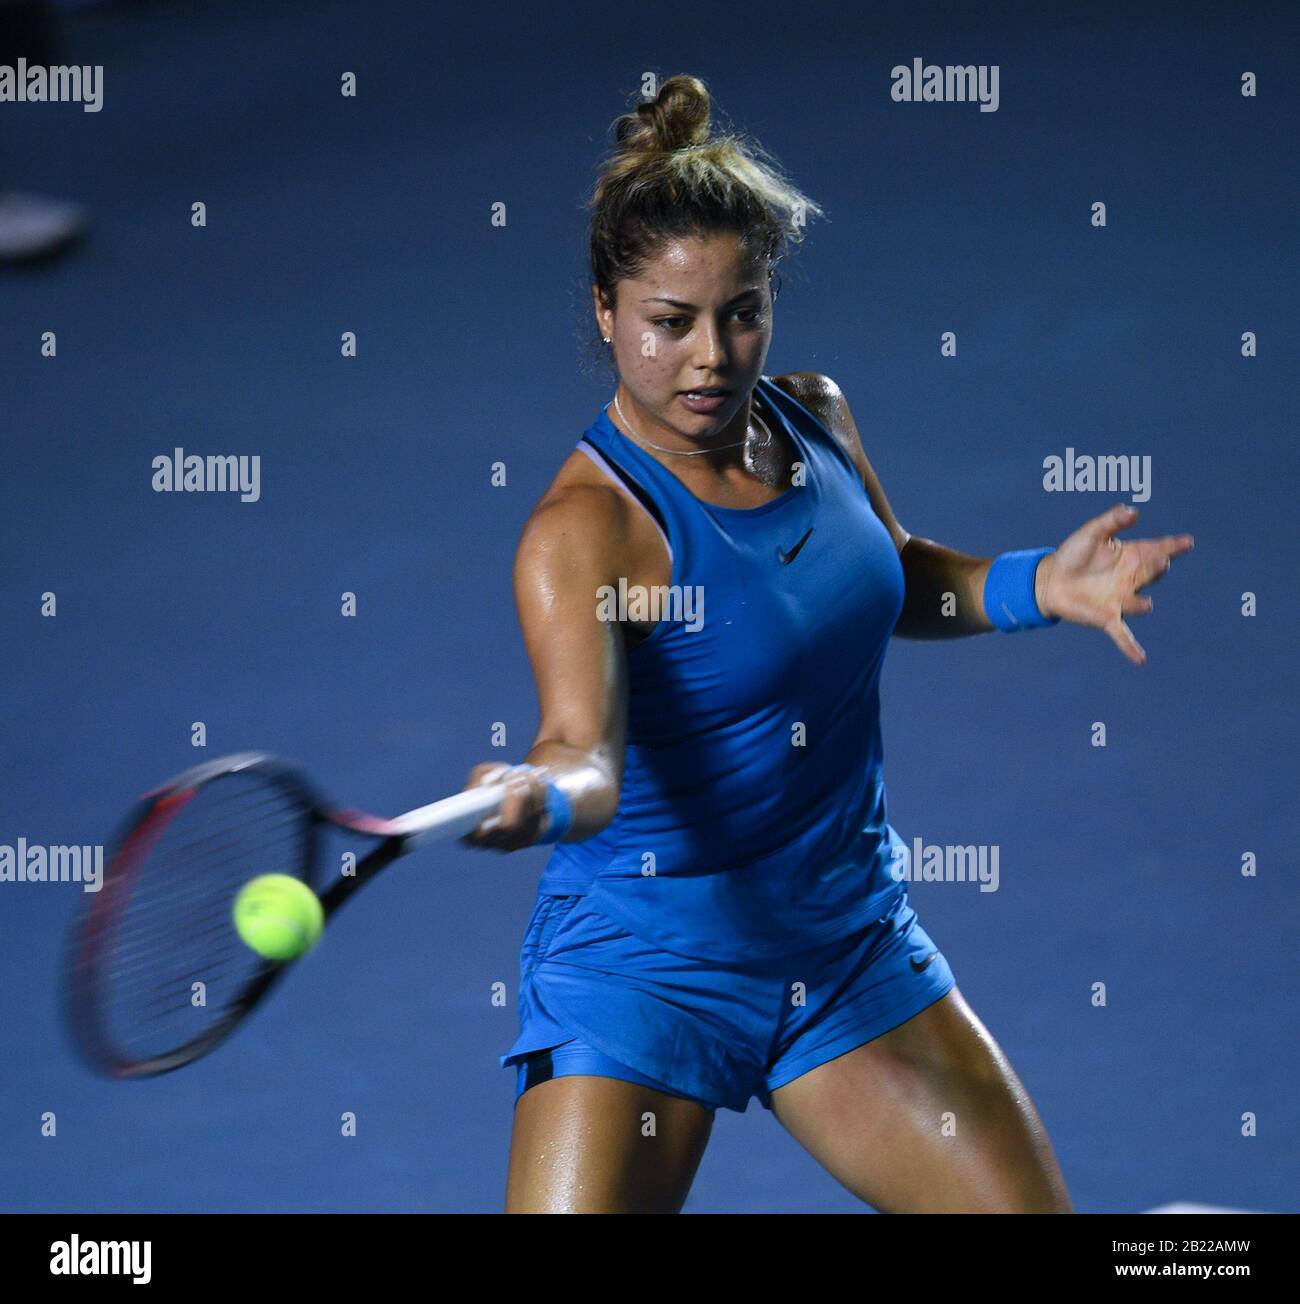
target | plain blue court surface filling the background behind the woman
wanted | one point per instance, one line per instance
(1121, 867)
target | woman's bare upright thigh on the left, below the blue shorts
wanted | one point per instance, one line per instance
(586, 1144)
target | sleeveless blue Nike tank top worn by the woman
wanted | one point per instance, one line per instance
(753, 817)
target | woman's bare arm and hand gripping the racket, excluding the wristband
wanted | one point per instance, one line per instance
(572, 546)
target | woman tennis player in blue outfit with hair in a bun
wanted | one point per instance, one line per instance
(720, 917)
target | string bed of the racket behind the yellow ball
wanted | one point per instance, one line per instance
(169, 924)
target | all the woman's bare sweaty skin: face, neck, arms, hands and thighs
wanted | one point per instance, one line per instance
(701, 316)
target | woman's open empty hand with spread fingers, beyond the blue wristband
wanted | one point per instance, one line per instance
(1093, 578)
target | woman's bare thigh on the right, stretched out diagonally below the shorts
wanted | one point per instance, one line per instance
(929, 1118)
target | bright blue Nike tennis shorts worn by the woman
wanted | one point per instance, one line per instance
(595, 1000)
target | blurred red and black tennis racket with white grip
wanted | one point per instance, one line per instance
(158, 976)
